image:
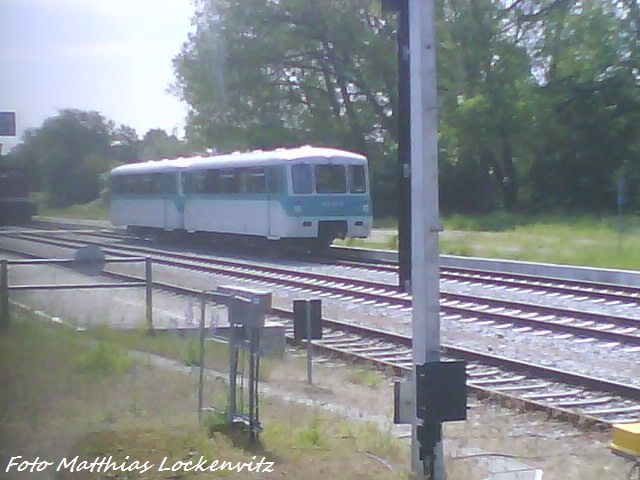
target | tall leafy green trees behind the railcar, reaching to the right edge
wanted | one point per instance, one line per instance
(538, 99)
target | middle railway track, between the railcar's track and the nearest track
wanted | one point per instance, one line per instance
(454, 307)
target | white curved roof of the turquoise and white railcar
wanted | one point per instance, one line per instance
(256, 157)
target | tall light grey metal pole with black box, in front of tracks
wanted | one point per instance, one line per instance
(425, 222)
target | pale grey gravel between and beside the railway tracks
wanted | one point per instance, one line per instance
(491, 431)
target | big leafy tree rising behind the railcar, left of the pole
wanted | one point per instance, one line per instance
(266, 74)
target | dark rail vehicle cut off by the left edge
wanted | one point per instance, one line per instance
(15, 205)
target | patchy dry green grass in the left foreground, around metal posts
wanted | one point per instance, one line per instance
(68, 393)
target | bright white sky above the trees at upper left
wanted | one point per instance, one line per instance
(111, 56)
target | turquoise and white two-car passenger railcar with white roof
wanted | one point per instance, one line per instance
(308, 195)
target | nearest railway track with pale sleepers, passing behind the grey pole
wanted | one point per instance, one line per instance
(565, 395)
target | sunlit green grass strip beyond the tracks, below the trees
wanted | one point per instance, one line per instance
(597, 241)
